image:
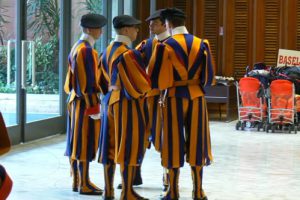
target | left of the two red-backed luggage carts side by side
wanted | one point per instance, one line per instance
(251, 102)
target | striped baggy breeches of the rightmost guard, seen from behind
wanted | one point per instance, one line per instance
(186, 133)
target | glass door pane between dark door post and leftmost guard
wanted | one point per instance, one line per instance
(40, 58)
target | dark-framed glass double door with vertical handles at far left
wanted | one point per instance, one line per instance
(31, 99)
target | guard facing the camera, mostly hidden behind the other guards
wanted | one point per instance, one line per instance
(158, 29)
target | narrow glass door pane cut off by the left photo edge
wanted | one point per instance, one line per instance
(7, 61)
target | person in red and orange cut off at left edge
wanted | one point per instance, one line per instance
(5, 180)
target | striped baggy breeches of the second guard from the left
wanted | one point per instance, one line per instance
(122, 137)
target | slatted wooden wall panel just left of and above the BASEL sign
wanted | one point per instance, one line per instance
(272, 31)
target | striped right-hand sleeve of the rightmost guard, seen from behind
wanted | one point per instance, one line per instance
(208, 67)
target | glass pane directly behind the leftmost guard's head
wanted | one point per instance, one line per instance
(79, 8)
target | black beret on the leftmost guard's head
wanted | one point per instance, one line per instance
(92, 20)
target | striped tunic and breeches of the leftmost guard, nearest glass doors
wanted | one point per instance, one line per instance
(82, 88)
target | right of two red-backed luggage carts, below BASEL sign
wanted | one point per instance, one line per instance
(282, 107)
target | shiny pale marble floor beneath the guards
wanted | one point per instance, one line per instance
(248, 165)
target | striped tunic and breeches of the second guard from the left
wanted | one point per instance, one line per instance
(123, 81)
